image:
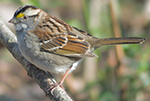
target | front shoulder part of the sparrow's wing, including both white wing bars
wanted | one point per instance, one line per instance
(50, 39)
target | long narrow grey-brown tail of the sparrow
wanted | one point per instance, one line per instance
(116, 41)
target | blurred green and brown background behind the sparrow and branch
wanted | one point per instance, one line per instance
(121, 73)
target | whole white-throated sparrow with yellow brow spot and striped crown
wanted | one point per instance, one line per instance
(54, 46)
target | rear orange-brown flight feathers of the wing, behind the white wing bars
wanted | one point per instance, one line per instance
(76, 46)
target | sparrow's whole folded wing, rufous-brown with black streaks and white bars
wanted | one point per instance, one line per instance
(61, 39)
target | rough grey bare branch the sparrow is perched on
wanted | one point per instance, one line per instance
(43, 79)
